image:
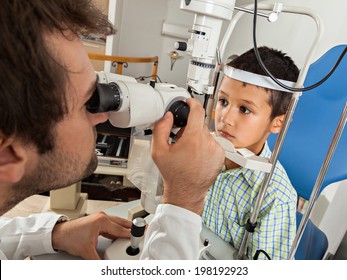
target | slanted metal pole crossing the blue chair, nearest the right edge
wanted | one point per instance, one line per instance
(316, 189)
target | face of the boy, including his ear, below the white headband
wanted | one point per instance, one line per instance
(243, 115)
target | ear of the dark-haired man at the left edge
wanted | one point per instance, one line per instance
(13, 158)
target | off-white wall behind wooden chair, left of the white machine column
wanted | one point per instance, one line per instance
(139, 34)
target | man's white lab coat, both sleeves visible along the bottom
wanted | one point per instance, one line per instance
(172, 234)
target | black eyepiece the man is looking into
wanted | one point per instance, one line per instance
(105, 98)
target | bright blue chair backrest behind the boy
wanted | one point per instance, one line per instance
(313, 126)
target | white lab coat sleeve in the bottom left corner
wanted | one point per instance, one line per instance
(21, 237)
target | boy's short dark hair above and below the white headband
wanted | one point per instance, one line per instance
(279, 64)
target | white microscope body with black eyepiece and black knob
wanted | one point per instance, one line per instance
(111, 97)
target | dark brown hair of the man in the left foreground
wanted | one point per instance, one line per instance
(32, 80)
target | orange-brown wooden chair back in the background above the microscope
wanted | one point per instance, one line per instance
(122, 61)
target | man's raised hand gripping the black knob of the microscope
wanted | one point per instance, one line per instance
(191, 164)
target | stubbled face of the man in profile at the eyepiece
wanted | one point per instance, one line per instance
(73, 156)
